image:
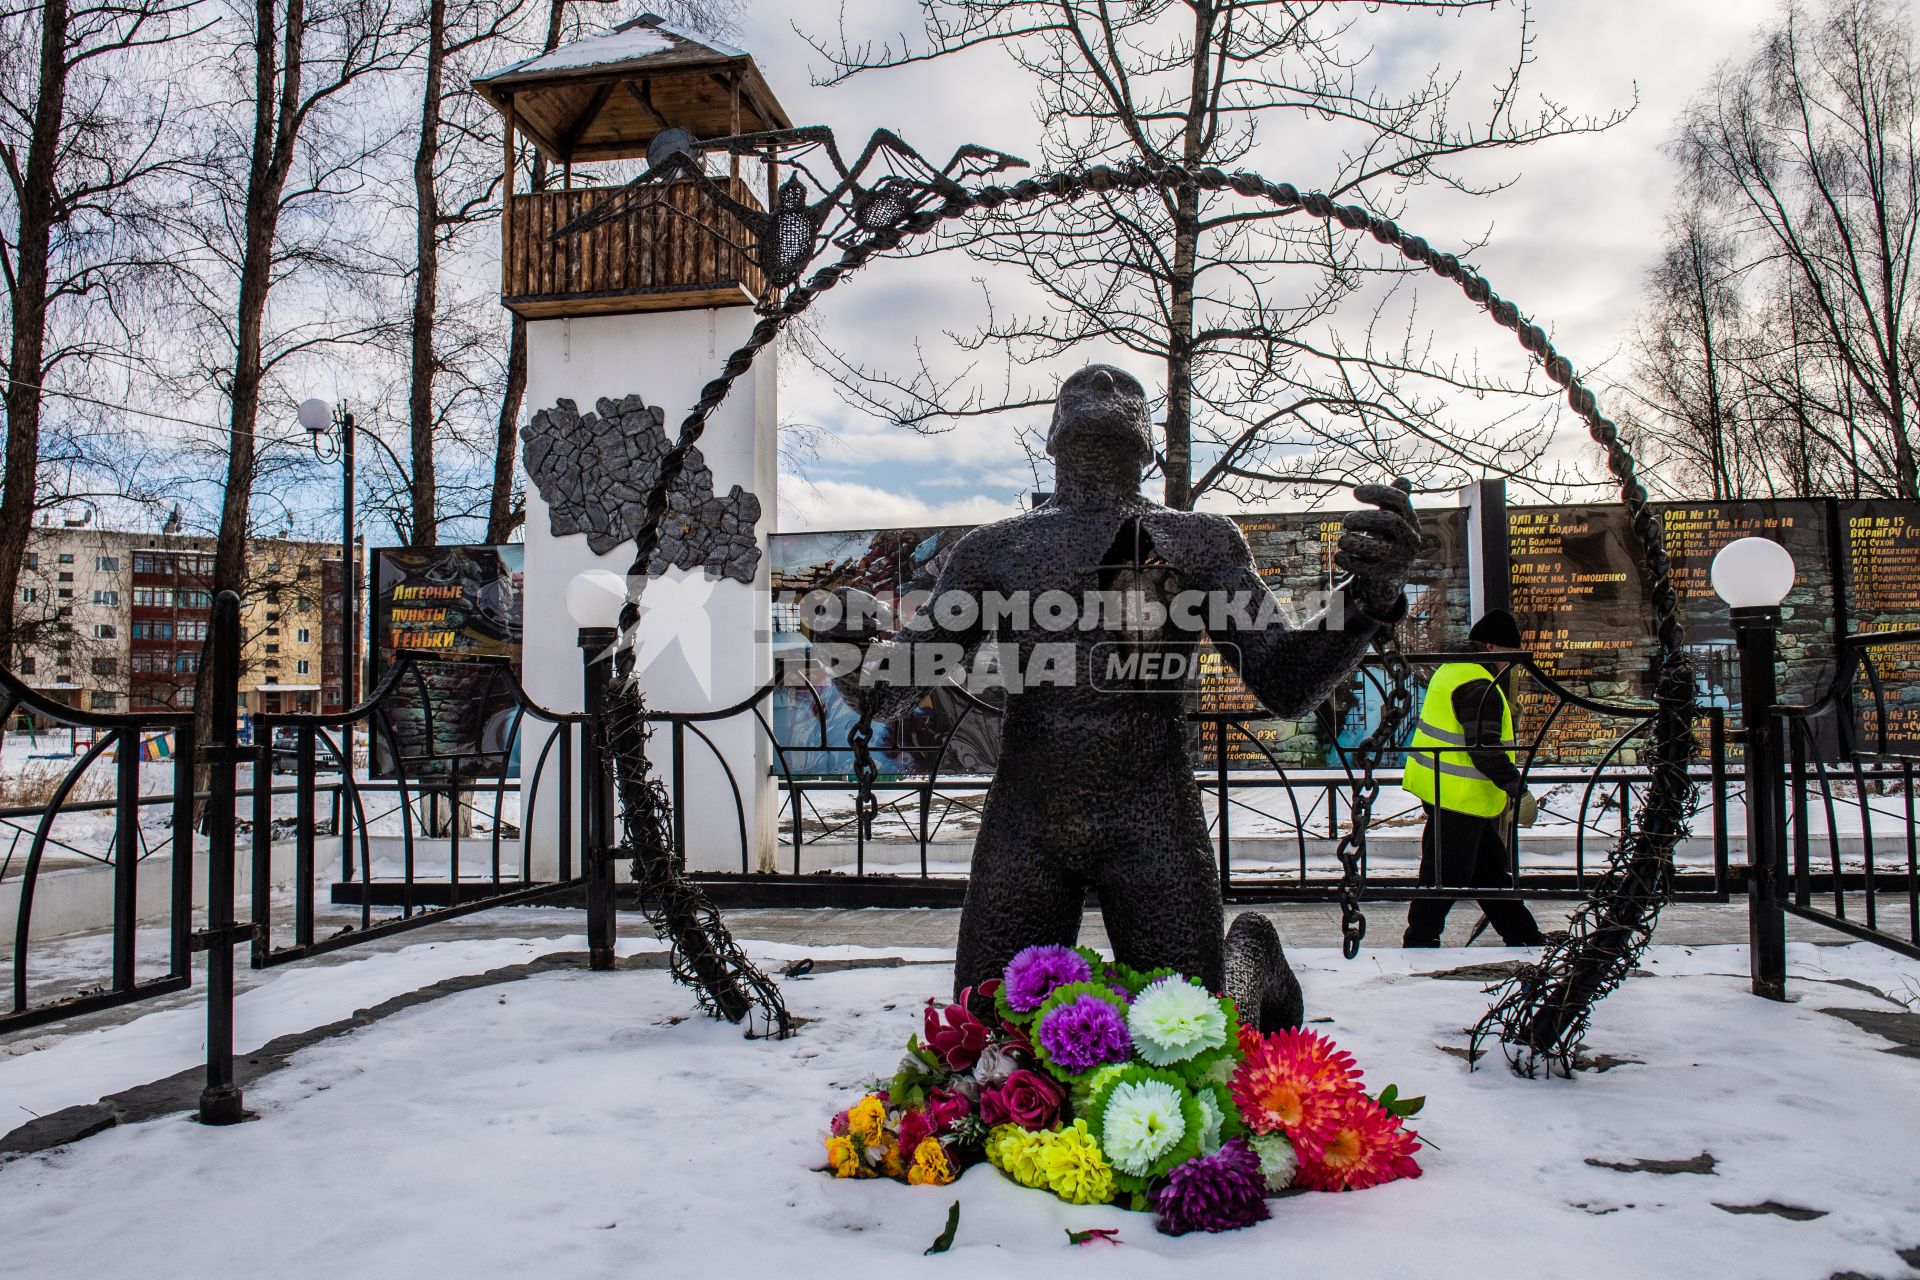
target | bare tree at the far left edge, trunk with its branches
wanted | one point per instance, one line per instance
(80, 145)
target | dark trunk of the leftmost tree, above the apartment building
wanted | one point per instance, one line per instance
(39, 208)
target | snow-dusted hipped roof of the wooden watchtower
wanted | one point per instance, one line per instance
(608, 97)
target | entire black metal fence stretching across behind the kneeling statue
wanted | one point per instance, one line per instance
(452, 832)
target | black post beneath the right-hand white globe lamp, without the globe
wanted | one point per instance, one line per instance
(1767, 926)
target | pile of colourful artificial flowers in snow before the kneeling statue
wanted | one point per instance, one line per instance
(1105, 1085)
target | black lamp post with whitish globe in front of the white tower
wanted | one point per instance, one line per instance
(594, 602)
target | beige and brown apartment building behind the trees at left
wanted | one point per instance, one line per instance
(118, 621)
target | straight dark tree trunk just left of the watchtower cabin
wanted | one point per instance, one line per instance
(427, 285)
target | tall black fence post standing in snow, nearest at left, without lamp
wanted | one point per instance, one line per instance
(220, 1101)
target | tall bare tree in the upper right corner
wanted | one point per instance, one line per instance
(1806, 153)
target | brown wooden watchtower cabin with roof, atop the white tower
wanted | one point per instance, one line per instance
(608, 99)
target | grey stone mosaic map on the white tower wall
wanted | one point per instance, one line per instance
(596, 471)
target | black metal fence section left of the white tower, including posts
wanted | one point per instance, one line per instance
(195, 828)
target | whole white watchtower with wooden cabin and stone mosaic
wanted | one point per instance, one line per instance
(646, 306)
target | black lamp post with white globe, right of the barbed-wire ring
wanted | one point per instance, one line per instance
(1754, 575)
